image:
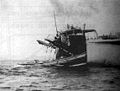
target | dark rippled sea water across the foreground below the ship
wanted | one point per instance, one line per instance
(36, 78)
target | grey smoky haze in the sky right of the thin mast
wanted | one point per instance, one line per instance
(103, 15)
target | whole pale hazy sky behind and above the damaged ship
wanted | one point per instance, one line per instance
(22, 22)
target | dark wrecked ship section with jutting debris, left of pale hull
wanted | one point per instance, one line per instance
(70, 46)
